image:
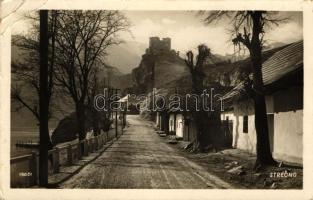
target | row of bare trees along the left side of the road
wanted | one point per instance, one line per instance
(70, 51)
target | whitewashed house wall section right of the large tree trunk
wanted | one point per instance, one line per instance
(288, 124)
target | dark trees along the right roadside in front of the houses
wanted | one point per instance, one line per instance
(249, 29)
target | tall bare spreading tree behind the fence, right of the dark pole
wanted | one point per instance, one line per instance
(82, 41)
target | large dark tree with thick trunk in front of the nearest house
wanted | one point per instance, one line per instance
(249, 30)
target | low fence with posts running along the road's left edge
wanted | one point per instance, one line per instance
(24, 169)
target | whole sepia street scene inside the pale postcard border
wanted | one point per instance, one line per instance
(121, 99)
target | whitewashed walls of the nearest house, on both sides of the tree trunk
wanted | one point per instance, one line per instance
(285, 108)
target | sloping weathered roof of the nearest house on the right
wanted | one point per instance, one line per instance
(280, 64)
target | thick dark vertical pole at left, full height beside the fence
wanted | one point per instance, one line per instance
(43, 99)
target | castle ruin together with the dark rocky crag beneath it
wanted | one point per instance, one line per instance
(159, 65)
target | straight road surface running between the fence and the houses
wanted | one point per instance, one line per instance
(141, 159)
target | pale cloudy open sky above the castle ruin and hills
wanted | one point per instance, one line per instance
(187, 30)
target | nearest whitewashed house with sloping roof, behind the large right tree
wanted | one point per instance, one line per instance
(283, 82)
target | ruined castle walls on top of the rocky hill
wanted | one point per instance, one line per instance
(157, 46)
